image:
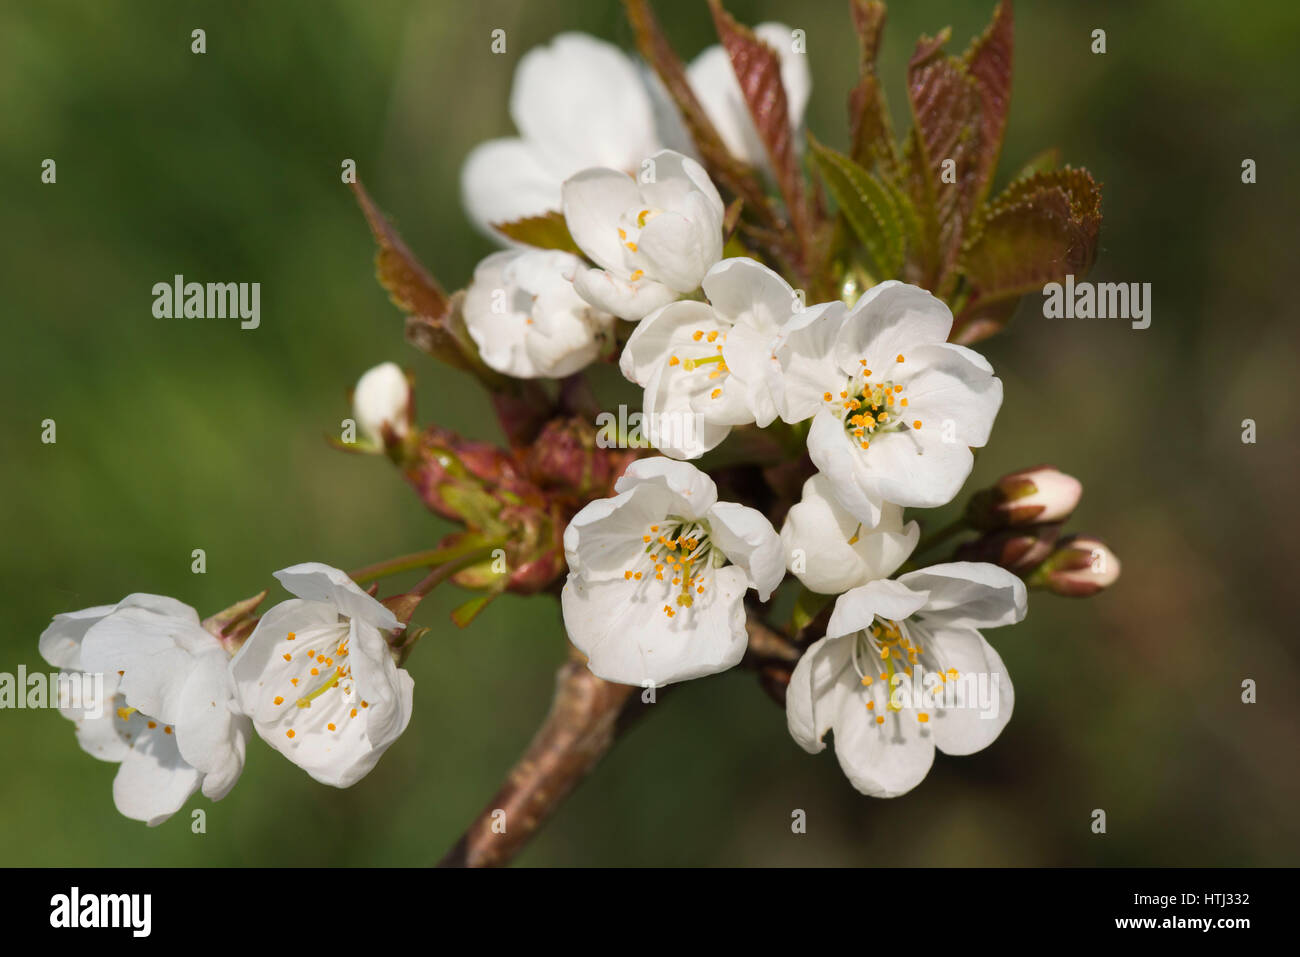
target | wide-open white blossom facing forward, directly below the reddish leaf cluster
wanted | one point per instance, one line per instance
(896, 409)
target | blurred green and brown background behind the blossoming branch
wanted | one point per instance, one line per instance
(183, 435)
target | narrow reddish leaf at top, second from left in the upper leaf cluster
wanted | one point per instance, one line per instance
(759, 71)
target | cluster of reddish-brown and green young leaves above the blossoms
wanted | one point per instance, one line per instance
(918, 211)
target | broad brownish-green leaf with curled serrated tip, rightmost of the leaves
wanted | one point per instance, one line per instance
(1038, 232)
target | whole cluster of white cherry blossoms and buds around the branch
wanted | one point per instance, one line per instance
(631, 257)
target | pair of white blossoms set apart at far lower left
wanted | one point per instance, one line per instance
(315, 679)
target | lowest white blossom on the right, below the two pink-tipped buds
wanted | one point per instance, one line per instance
(904, 670)
